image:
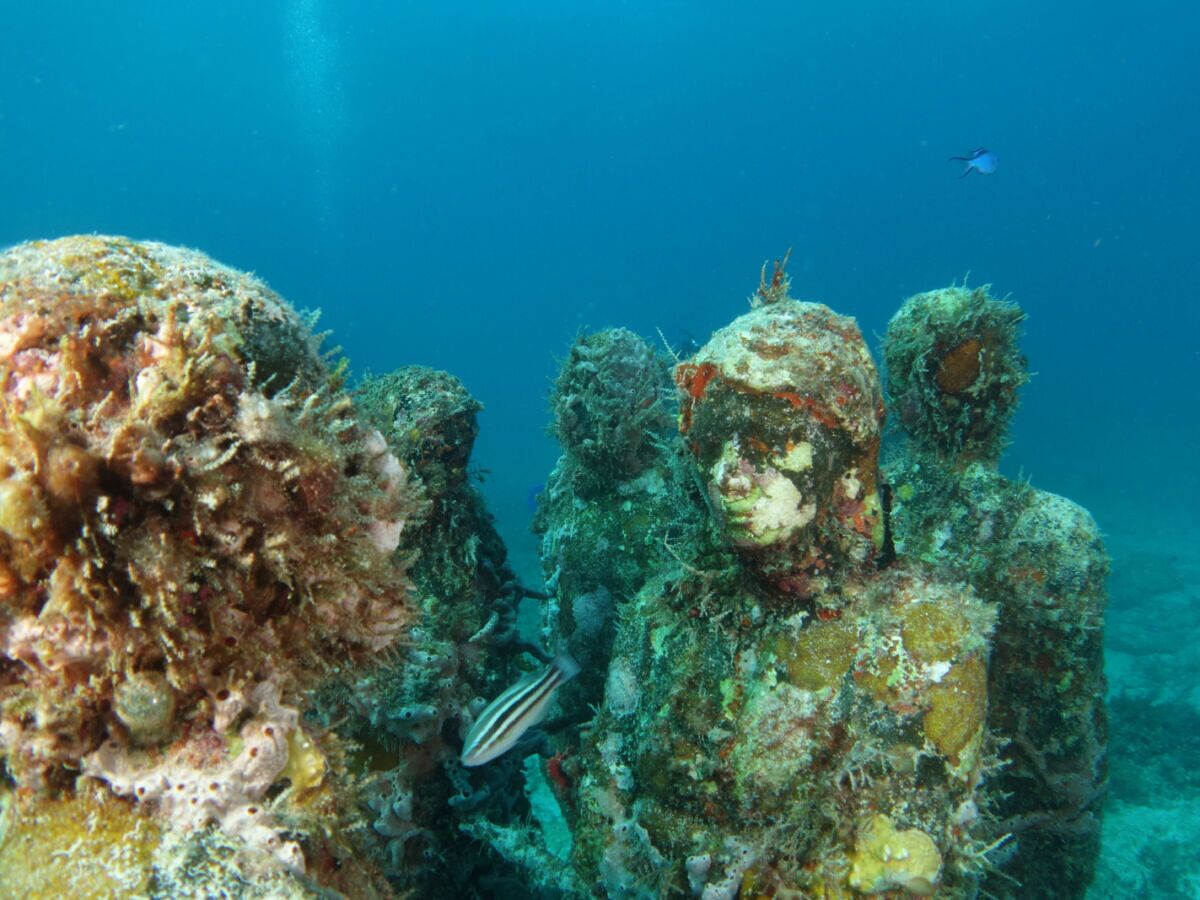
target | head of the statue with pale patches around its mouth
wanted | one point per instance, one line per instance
(783, 411)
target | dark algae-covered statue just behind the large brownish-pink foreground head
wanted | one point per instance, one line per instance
(409, 712)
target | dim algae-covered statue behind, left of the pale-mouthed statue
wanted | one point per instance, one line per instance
(621, 475)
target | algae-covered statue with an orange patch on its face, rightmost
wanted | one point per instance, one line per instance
(953, 374)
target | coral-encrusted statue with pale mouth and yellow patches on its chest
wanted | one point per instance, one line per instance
(781, 717)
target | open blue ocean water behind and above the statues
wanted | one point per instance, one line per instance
(466, 187)
